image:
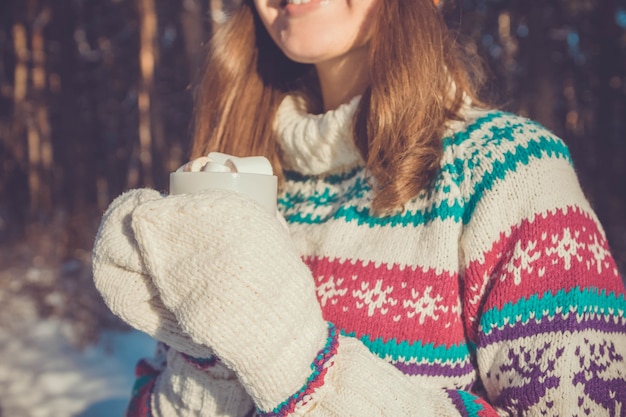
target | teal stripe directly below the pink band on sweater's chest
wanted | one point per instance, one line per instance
(396, 350)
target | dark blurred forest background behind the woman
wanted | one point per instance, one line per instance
(95, 98)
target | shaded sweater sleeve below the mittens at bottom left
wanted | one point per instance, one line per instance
(172, 384)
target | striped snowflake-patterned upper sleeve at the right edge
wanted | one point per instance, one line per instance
(544, 301)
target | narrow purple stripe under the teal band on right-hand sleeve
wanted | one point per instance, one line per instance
(558, 323)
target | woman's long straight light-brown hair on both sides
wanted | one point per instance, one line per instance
(419, 78)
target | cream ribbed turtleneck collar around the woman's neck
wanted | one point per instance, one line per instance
(316, 144)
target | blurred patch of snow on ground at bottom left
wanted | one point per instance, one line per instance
(43, 375)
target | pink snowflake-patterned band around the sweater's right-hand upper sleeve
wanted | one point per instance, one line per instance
(559, 250)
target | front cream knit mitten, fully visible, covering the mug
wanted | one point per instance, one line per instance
(230, 274)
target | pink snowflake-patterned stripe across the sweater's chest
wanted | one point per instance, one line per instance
(385, 302)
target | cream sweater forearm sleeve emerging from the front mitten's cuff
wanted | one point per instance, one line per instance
(352, 381)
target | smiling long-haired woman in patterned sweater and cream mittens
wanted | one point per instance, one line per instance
(440, 258)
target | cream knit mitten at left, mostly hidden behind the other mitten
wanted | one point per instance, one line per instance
(120, 276)
